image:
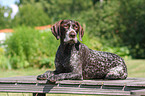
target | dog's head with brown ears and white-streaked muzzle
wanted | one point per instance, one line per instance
(67, 31)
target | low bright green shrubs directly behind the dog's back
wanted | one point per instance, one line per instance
(95, 44)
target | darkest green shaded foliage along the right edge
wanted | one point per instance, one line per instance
(132, 19)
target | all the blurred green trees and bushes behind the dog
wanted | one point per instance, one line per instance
(116, 26)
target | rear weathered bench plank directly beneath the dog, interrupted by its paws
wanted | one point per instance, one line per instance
(32, 79)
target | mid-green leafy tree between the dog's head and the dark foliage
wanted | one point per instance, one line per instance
(102, 22)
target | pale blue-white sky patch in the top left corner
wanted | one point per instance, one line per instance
(11, 4)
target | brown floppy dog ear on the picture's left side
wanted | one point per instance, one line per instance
(56, 29)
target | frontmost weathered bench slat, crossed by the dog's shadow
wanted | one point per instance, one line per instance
(55, 89)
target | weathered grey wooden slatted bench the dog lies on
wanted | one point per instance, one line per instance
(29, 84)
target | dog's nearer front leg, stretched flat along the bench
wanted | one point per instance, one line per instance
(65, 76)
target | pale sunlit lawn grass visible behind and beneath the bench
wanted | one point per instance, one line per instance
(135, 69)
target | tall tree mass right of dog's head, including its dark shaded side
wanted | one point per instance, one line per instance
(119, 23)
